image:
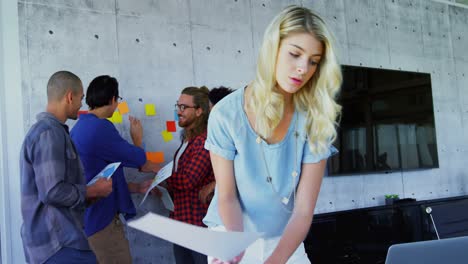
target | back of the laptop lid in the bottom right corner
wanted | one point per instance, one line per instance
(443, 251)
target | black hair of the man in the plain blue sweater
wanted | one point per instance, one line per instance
(101, 90)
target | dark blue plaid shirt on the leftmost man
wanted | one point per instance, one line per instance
(53, 190)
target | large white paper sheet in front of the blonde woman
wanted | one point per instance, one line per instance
(218, 244)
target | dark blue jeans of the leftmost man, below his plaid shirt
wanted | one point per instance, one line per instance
(72, 256)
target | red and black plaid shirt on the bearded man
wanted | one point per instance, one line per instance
(193, 172)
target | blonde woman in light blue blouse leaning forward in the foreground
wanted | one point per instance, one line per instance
(269, 141)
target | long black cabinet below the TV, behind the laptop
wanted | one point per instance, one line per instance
(363, 236)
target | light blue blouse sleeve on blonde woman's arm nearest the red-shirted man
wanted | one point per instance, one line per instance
(219, 140)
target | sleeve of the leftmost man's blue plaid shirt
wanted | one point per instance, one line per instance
(50, 165)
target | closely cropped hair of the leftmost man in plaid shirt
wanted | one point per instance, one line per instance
(60, 82)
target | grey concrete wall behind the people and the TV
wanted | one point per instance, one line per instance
(156, 48)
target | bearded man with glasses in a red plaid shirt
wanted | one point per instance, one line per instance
(192, 167)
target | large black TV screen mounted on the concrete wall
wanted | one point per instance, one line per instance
(387, 122)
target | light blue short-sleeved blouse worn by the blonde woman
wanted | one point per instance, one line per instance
(231, 137)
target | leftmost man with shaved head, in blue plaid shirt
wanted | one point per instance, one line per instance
(53, 186)
